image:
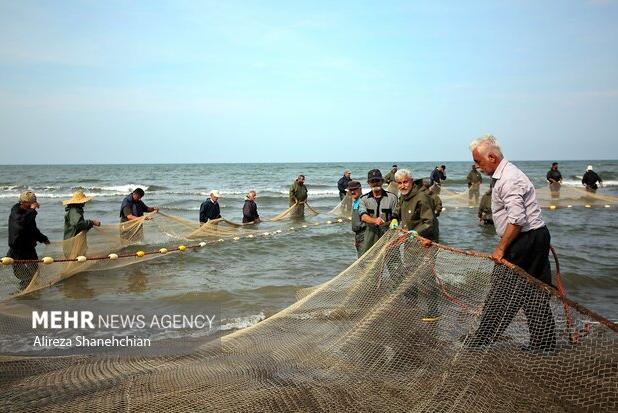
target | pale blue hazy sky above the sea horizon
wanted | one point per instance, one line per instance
(305, 81)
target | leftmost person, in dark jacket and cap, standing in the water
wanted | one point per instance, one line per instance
(23, 237)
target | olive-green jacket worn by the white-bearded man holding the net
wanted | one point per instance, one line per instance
(416, 211)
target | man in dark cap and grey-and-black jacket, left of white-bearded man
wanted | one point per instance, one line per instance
(376, 209)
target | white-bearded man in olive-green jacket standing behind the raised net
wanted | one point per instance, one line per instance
(415, 212)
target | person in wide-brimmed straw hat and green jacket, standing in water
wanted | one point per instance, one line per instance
(74, 223)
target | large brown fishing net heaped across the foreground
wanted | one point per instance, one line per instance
(359, 343)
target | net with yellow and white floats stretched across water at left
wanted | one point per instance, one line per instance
(116, 245)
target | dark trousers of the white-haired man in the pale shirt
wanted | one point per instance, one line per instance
(509, 293)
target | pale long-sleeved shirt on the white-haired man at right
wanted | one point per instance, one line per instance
(513, 199)
